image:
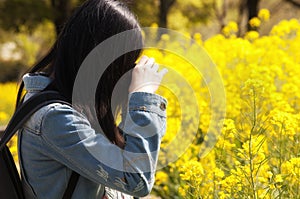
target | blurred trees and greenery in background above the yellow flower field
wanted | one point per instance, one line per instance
(29, 27)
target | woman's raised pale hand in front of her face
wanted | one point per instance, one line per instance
(145, 76)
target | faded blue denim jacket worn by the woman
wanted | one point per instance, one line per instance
(57, 139)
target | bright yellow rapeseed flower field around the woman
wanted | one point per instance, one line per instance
(257, 154)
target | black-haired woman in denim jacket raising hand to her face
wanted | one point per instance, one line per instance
(58, 138)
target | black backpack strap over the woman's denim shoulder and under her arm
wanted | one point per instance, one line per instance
(24, 112)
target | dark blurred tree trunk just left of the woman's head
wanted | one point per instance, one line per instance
(62, 10)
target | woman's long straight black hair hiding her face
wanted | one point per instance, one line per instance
(93, 22)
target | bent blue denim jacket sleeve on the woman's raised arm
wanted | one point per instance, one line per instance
(75, 144)
